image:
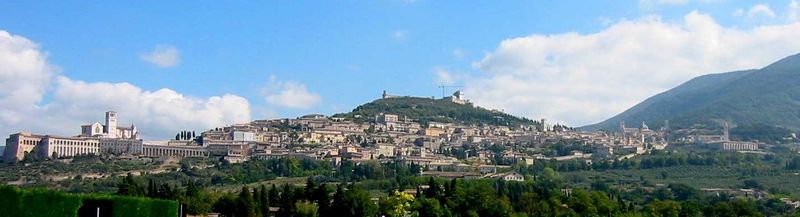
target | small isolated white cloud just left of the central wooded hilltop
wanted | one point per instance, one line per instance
(290, 94)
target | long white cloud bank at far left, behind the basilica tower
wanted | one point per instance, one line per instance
(26, 78)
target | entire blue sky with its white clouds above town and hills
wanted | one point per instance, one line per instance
(196, 65)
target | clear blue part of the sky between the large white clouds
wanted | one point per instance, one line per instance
(343, 52)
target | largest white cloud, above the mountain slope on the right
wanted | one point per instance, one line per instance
(586, 78)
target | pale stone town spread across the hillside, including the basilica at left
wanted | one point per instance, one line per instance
(452, 149)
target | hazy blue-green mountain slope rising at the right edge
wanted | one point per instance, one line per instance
(769, 96)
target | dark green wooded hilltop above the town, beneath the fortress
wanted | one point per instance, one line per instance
(438, 110)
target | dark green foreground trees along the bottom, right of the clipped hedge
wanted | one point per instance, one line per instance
(438, 197)
